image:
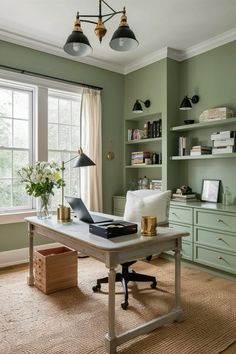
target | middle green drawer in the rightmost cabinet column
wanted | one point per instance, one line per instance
(215, 239)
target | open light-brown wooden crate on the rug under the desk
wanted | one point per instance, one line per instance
(55, 269)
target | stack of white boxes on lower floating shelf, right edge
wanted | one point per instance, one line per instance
(223, 142)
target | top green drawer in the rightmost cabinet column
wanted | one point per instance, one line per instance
(220, 221)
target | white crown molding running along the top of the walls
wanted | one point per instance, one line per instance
(167, 52)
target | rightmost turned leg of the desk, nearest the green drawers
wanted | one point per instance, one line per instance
(177, 280)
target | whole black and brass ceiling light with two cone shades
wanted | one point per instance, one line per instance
(123, 39)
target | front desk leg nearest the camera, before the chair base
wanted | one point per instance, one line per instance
(110, 338)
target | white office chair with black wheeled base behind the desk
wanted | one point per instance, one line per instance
(140, 203)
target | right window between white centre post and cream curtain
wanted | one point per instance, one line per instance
(64, 137)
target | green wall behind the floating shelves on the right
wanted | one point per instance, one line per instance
(212, 76)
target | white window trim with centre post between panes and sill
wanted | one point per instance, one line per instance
(40, 131)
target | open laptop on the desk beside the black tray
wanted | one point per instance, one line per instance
(82, 212)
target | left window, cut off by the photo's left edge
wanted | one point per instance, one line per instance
(16, 131)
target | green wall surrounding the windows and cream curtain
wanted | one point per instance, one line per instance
(112, 117)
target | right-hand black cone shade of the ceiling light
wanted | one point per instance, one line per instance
(123, 39)
